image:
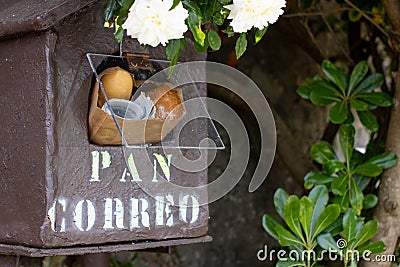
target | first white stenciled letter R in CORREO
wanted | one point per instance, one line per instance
(109, 213)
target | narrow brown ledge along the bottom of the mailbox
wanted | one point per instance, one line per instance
(82, 250)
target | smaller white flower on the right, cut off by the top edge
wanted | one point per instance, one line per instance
(246, 14)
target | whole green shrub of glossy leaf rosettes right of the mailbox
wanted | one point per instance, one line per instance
(331, 216)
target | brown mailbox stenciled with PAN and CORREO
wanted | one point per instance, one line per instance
(60, 194)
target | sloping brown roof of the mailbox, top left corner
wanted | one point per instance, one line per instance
(18, 17)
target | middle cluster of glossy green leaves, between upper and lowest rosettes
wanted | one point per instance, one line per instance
(344, 177)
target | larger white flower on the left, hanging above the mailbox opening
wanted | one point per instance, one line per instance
(152, 22)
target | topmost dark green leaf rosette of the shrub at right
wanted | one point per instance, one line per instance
(348, 93)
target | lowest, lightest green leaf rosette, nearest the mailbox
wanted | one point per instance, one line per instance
(305, 219)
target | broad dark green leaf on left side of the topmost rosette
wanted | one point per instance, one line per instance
(323, 93)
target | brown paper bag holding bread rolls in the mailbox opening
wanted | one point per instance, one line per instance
(103, 130)
